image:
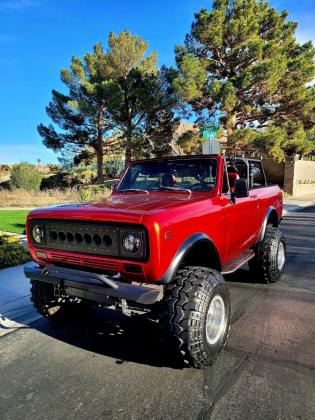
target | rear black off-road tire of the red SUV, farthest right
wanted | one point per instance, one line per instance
(265, 265)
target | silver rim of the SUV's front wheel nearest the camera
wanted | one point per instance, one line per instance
(216, 320)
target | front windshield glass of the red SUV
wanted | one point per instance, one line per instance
(166, 175)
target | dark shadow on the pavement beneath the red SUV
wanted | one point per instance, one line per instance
(125, 338)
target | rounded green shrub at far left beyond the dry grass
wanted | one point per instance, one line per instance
(25, 176)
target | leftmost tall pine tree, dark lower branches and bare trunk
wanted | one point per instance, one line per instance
(81, 115)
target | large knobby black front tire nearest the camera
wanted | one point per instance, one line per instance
(185, 307)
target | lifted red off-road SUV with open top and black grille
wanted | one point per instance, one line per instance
(163, 240)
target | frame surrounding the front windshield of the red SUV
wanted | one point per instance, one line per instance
(170, 159)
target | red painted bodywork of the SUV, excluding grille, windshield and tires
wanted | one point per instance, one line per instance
(170, 218)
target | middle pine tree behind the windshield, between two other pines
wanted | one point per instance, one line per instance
(141, 99)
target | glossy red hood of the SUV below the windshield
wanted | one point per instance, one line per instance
(121, 207)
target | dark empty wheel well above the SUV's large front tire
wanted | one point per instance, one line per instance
(202, 254)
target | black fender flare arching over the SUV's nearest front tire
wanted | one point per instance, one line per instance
(186, 246)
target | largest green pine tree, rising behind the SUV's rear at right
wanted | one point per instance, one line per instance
(242, 58)
